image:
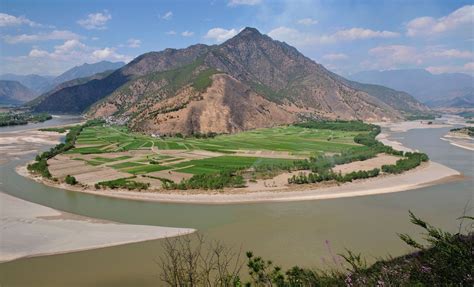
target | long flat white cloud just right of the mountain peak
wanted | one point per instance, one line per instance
(298, 38)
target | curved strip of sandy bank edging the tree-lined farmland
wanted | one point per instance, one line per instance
(427, 174)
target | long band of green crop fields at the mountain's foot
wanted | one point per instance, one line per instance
(295, 140)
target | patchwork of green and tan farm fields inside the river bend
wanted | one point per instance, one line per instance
(111, 152)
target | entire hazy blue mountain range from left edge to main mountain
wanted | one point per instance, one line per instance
(38, 85)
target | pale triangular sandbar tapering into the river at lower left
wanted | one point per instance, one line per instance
(29, 229)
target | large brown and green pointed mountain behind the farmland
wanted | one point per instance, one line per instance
(249, 81)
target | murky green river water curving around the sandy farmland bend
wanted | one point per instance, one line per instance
(289, 233)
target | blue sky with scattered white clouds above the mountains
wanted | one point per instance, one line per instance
(48, 37)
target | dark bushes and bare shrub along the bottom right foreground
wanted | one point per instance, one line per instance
(447, 260)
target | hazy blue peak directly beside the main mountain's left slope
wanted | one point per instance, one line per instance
(86, 70)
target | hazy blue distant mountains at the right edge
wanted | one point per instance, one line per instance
(423, 85)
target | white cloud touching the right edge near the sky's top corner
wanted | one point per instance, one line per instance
(429, 25)
